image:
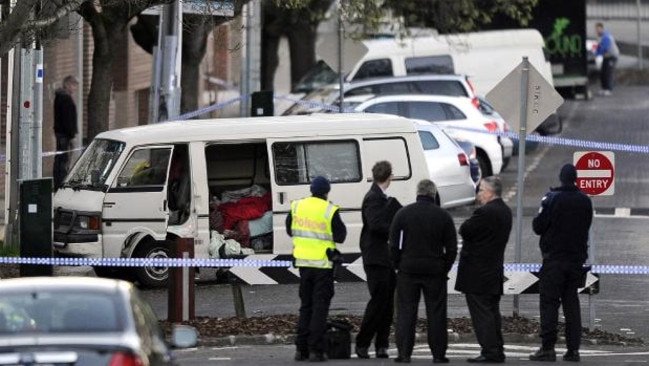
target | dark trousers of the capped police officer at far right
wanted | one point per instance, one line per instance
(558, 286)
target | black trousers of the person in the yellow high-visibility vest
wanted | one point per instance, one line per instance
(316, 291)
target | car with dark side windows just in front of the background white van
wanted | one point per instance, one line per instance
(326, 98)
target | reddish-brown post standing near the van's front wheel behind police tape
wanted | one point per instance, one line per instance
(181, 284)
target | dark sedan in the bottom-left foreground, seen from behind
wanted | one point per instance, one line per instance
(79, 321)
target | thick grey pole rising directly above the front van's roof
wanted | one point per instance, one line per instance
(167, 56)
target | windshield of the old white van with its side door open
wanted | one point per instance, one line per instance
(94, 165)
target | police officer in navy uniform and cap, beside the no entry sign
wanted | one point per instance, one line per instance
(563, 222)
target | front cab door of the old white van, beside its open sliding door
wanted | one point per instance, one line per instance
(136, 202)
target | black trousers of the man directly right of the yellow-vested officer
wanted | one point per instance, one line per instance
(381, 282)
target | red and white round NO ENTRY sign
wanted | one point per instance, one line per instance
(595, 172)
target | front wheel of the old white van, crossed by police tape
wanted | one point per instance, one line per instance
(152, 276)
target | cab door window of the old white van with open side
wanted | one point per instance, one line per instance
(145, 167)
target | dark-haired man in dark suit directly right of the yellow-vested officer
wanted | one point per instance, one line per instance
(377, 212)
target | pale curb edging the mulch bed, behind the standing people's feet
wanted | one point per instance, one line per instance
(276, 339)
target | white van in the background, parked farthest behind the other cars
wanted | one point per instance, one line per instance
(487, 57)
